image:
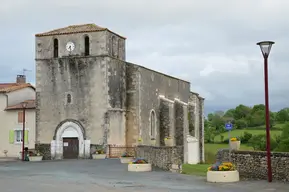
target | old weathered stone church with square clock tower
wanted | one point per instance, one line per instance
(88, 94)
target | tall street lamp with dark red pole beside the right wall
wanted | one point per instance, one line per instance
(265, 47)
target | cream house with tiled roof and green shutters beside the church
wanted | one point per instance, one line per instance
(11, 117)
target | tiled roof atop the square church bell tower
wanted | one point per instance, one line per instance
(84, 28)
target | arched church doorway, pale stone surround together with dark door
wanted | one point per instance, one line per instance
(69, 140)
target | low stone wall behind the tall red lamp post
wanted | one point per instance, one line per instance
(253, 164)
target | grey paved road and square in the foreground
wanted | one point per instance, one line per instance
(110, 175)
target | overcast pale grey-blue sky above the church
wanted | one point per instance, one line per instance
(211, 43)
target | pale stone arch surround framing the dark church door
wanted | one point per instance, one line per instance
(69, 129)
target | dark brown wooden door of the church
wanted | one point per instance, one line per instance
(70, 148)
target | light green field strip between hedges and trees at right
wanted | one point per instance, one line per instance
(240, 132)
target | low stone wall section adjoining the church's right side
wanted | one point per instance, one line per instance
(163, 157)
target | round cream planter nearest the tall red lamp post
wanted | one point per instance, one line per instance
(223, 176)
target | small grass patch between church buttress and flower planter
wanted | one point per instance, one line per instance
(199, 169)
